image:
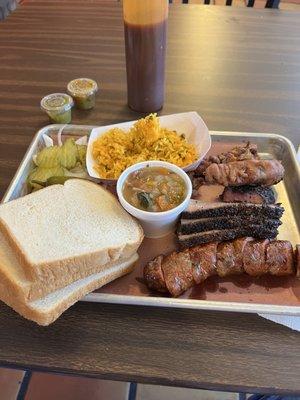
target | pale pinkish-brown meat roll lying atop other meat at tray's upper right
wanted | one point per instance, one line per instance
(248, 172)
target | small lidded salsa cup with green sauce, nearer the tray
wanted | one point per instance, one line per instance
(58, 106)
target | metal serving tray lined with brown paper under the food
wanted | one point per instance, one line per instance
(275, 295)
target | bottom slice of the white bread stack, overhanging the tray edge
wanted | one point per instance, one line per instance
(48, 309)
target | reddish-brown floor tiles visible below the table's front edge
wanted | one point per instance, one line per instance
(44, 386)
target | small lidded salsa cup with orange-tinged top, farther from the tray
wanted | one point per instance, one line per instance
(83, 91)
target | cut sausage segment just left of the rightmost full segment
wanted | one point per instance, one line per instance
(254, 257)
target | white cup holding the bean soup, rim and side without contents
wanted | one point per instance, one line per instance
(155, 224)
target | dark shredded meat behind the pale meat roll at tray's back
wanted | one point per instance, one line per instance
(238, 153)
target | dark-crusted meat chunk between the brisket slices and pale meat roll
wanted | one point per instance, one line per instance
(248, 194)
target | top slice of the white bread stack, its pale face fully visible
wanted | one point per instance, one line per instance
(63, 229)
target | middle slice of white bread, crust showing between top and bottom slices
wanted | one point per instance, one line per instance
(17, 284)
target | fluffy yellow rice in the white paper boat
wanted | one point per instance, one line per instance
(116, 149)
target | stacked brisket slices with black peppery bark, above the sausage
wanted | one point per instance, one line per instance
(204, 222)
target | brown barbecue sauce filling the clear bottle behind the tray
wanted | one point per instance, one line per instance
(145, 65)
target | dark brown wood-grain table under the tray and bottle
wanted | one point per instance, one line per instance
(240, 69)
